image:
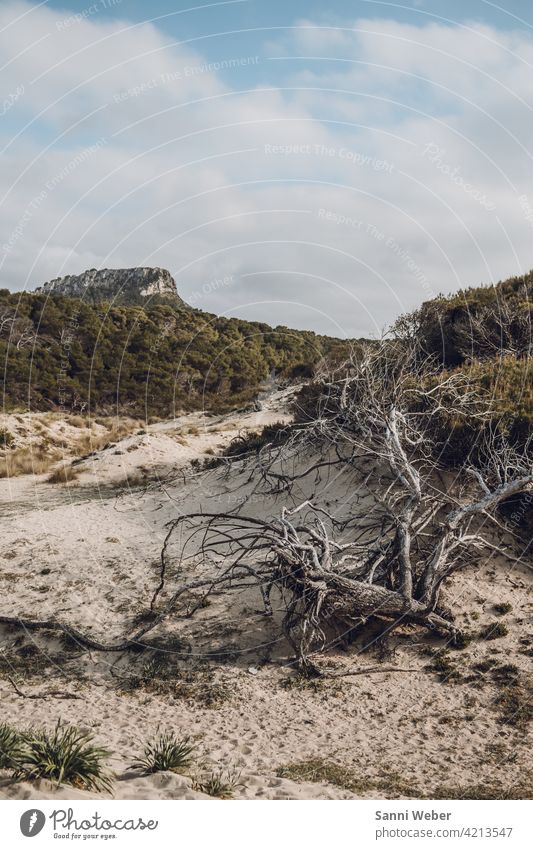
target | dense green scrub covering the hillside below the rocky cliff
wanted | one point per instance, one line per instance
(61, 352)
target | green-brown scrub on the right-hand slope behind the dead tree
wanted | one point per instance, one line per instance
(484, 335)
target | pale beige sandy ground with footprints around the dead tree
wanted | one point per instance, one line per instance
(87, 553)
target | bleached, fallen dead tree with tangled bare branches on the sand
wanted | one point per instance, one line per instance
(413, 523)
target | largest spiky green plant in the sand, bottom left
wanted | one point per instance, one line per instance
(67, 755)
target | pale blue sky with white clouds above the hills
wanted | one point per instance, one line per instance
(319, 166)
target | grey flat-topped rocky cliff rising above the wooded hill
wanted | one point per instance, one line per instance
(118, 285)
